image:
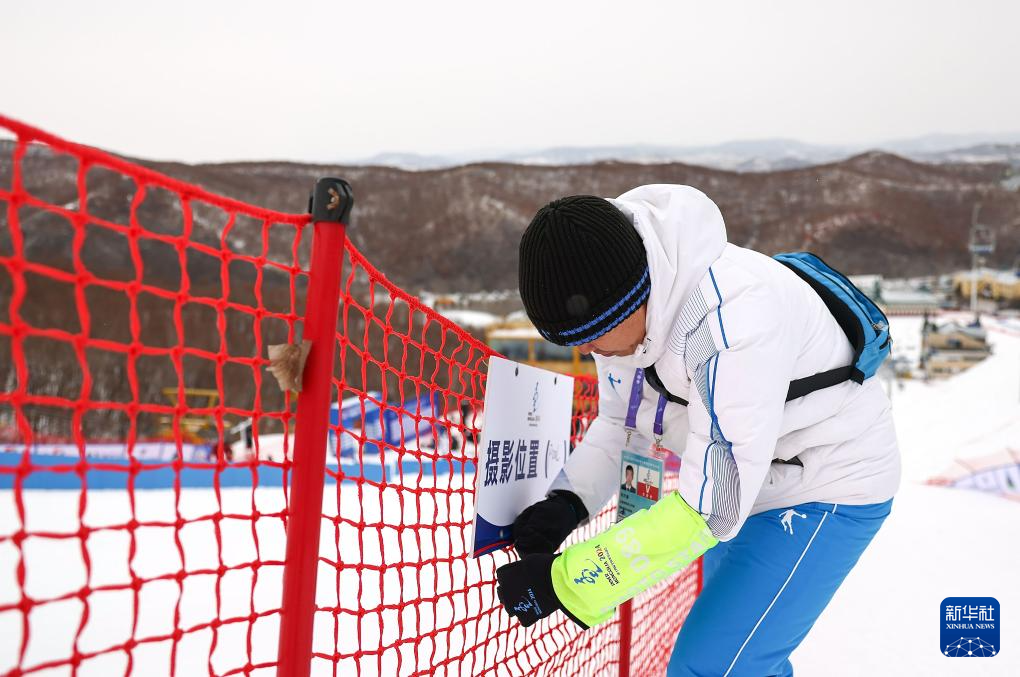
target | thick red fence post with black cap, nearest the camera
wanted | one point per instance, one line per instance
(331, 206)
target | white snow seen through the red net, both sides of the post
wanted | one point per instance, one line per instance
(421, 563)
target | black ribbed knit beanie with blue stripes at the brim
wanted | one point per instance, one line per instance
(583, 270)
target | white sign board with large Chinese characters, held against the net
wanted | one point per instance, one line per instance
(526, 440)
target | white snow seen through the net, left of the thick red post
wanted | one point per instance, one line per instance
(56, 566)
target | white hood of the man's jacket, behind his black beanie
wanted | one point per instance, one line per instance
(684, 234)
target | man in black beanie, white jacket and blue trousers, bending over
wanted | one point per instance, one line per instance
(648, 284)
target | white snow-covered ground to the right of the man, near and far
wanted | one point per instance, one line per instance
(938, 543)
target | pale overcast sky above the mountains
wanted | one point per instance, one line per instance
(337, 81)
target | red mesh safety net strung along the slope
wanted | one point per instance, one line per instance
(146, 453)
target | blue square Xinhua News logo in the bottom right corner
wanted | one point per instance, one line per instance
(970, 628)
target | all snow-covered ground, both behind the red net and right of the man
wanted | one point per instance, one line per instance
(939, 543)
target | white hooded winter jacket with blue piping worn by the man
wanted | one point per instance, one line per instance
(728, 330)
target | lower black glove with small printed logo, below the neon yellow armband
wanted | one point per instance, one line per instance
(526, 590)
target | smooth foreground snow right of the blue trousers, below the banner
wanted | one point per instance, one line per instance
(938, 543)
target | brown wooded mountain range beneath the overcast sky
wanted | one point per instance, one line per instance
(873, 214)
